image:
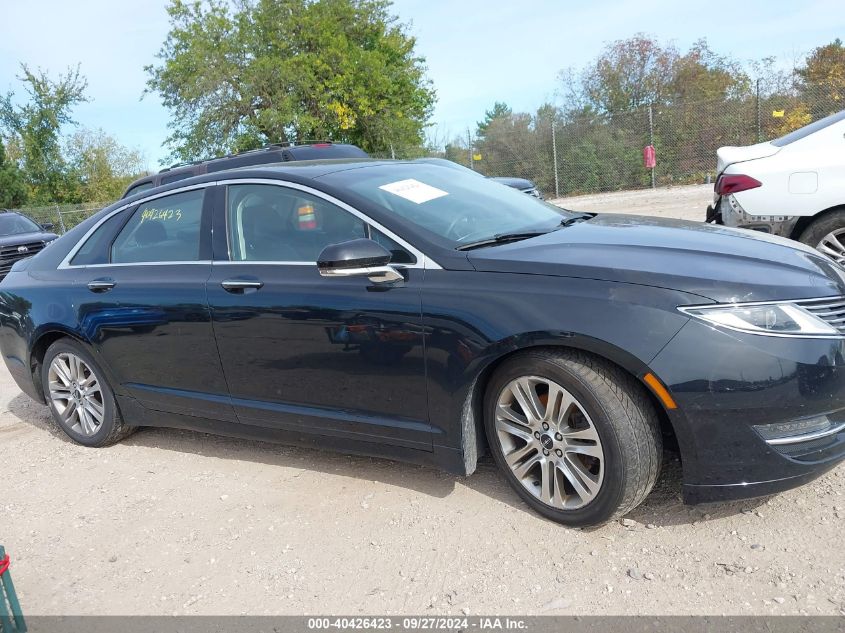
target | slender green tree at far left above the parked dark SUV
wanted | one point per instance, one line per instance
(36, 127)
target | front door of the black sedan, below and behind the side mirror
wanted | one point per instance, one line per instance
(302, 352)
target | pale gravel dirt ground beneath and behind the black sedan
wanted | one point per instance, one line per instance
(175, 522)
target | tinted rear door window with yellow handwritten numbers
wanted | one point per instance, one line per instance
(162, 230)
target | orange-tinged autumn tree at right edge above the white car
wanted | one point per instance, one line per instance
(823, 79)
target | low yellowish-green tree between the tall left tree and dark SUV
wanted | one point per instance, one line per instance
(100, 168)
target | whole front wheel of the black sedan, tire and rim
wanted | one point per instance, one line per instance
(606, 457)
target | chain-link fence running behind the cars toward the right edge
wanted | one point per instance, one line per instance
(572, 155)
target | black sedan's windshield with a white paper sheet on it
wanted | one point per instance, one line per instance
(455, 204)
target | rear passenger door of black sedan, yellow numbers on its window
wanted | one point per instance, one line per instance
(141, 300)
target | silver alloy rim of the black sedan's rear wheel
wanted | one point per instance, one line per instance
(76, 394)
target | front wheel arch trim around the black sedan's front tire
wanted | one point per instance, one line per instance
(474, 435)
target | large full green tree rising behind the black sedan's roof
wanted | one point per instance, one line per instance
(236, 76)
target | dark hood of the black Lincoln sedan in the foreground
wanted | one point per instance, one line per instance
(715, 262)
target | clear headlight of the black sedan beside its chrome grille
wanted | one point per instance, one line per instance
(772, 319)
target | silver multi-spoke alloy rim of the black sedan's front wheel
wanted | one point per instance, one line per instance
(549, 442)
